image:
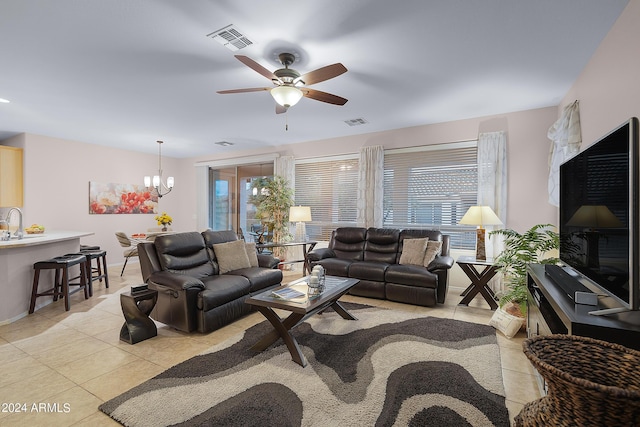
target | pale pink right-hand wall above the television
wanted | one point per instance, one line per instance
(609, 86)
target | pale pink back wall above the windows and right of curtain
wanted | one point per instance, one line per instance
(528, 150)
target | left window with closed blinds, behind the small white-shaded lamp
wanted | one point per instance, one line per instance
(330, 187)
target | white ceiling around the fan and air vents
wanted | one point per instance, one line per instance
(126, 73)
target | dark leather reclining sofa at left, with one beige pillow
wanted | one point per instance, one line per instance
(192, 294)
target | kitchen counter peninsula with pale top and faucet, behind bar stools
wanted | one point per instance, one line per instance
(17, 257)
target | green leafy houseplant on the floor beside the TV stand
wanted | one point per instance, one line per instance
(519, 250)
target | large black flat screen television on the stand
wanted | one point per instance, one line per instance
(599, 215)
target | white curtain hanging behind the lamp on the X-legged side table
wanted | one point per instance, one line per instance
(492, 185)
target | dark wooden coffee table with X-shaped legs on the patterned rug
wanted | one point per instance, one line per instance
(265, 302)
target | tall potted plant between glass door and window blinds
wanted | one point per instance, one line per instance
(272, 207)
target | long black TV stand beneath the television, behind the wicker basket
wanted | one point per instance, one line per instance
(551, 311)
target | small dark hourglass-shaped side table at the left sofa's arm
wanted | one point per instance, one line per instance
(136, 308)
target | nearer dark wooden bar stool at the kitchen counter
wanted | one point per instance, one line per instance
(60, 285)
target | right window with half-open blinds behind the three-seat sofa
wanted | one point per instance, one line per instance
(432, 187)
